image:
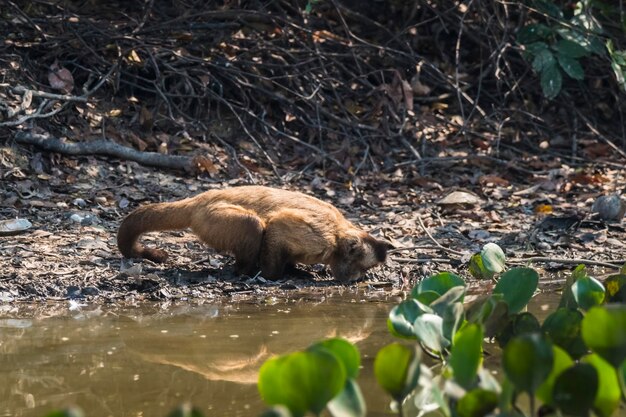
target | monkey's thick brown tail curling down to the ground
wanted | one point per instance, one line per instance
(151, 218)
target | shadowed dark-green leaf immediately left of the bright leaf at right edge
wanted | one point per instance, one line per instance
(563, 328)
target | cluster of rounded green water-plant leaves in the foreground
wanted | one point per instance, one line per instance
(574, 363)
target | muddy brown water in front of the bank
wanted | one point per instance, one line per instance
(142, 361)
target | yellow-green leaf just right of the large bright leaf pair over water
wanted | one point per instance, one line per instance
(397, 370)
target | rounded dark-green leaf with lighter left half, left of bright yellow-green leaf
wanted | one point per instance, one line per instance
(527, 361)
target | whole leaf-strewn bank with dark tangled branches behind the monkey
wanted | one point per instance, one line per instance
(398, 115)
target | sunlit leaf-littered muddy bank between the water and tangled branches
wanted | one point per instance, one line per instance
(70, 252)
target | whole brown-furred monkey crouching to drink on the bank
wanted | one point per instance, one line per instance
(260, 226)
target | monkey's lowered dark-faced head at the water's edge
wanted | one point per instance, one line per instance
(356, 253)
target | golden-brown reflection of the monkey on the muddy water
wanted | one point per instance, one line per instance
(233, 348)
